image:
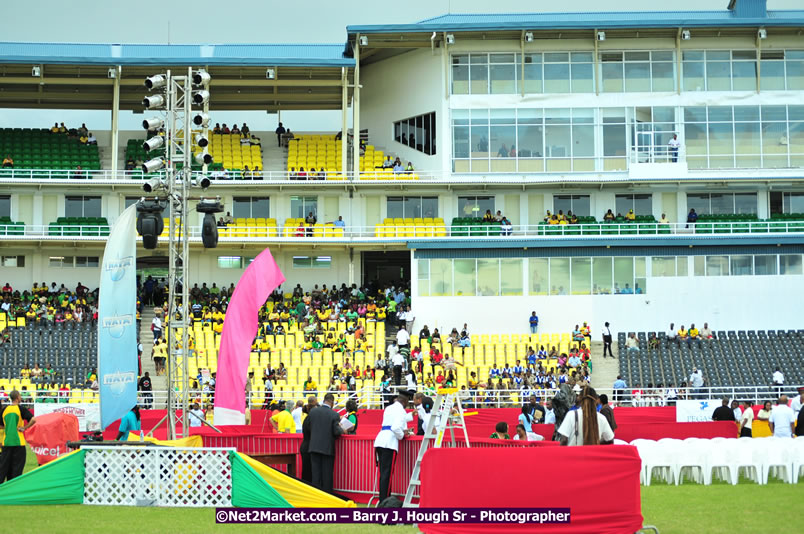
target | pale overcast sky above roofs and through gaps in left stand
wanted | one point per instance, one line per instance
(258, 21)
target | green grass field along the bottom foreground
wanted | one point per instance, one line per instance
(689, 508)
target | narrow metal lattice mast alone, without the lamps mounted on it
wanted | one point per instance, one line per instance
(179, 149)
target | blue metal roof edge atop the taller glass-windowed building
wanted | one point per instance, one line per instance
(586, 20)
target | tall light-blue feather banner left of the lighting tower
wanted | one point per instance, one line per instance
(117, 321)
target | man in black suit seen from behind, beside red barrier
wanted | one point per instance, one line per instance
(325, 426)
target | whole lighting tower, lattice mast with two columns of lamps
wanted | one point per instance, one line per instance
(177, 95)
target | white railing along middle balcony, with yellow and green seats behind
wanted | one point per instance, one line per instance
(406, 232)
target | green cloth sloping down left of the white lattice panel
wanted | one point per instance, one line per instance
(58, 482)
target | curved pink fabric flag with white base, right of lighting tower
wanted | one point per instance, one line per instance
(239, 328)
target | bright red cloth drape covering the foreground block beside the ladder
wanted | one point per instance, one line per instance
(599, 484)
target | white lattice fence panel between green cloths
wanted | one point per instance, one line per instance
(157, 476)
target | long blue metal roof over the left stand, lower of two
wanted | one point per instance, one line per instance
(273, 55)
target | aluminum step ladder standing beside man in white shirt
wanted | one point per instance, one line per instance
(442, 418)
